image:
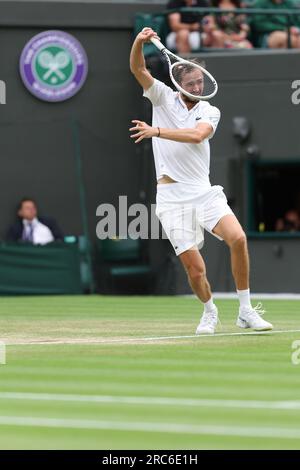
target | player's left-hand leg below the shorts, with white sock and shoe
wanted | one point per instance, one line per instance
(194, 266)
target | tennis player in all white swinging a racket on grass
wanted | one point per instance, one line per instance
(187, 203)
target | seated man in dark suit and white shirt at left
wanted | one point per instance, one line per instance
(33, 229)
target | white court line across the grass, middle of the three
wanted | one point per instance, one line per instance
(163, 401)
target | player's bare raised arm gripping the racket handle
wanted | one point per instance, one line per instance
(137, 60)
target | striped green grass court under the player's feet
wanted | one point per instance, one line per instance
(249, 368)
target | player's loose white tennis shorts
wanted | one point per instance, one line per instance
(185, 211)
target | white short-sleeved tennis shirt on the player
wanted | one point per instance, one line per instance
(185, 163)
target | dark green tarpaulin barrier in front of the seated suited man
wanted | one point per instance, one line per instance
(50, 269)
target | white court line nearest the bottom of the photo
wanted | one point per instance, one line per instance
(216, 430)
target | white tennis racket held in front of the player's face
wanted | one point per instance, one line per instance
(189, 77)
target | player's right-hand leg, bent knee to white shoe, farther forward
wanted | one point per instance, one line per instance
(230, 230)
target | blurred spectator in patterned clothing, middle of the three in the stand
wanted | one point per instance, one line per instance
(226, 30)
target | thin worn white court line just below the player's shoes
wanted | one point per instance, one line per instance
(145, 339)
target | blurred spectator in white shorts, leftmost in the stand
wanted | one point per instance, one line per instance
(185, 35)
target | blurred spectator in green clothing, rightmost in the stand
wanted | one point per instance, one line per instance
(272, 29)
